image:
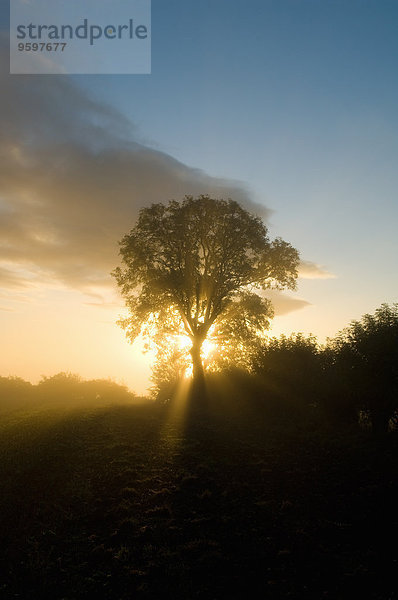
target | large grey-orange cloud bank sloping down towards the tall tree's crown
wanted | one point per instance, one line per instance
(73, 176)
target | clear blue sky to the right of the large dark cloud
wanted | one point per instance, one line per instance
(299, 100)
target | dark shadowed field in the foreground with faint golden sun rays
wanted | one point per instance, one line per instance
(133, 501)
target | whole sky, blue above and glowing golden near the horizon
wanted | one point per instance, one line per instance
(288, 106)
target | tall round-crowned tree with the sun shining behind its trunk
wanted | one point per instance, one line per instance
(190, 267)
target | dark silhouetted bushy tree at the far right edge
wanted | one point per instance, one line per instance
(366, 355)
